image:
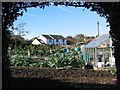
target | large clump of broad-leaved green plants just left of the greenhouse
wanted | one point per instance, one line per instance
(65, 60)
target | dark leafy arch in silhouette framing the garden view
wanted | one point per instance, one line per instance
(108, 10)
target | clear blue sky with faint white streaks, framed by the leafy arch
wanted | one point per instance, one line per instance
(62, 20)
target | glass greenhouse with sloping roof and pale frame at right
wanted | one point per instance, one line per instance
(100, 51)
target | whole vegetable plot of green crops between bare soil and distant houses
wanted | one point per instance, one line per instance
(55, 58)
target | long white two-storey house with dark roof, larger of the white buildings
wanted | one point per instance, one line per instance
(53, 39)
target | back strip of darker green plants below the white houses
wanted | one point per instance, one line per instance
(34, 50)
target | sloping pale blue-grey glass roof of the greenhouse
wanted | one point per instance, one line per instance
(97, 41)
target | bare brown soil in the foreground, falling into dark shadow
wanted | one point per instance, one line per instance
(37, 78)
